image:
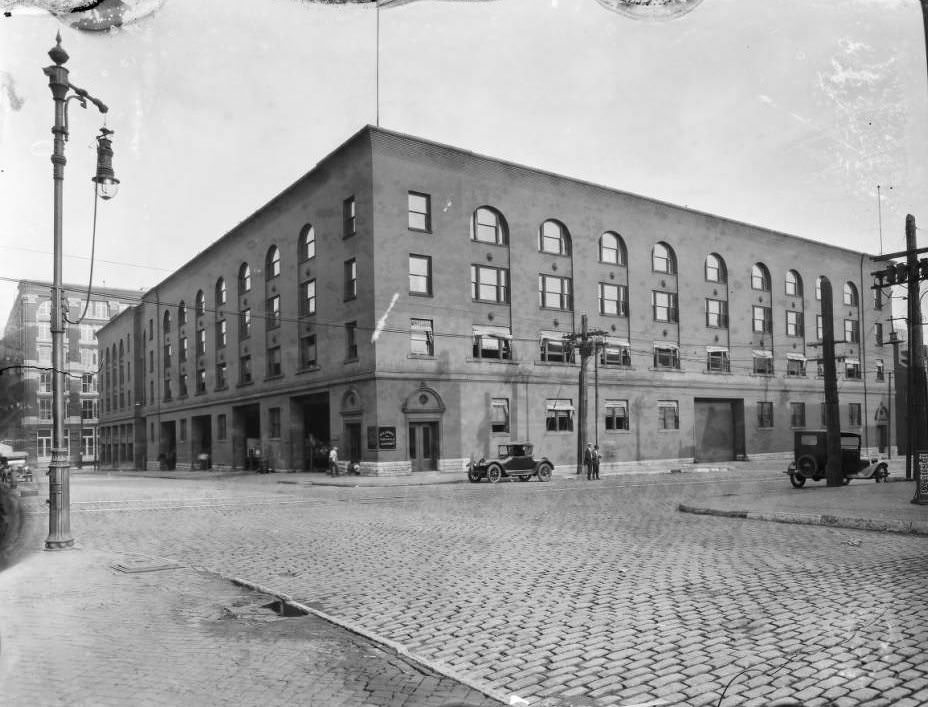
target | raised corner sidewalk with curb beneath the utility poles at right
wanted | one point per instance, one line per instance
(862, 504)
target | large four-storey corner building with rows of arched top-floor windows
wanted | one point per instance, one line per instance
(407, 300)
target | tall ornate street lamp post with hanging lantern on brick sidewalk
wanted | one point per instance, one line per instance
(59, 495)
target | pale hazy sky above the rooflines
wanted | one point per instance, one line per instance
(782, 114)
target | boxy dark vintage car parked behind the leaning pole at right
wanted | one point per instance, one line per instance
(811, 458)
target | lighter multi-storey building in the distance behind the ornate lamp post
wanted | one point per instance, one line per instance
(27, 343)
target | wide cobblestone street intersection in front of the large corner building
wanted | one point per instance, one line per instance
(562, 593)
